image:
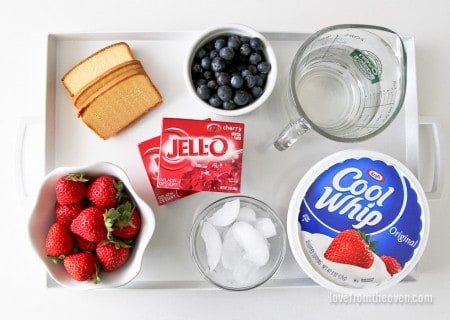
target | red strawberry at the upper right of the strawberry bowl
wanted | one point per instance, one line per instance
(105, 191)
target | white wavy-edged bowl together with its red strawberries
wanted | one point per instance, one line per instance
(89, 227)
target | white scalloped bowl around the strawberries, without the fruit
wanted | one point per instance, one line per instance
(42, 217)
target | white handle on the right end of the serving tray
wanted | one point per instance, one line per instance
(430, 157)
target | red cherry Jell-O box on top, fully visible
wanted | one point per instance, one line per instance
(201, 155)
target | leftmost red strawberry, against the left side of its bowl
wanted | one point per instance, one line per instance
(59, 242)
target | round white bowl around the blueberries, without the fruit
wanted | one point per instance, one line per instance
(228, 29)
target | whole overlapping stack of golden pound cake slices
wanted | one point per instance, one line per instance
(110, 90)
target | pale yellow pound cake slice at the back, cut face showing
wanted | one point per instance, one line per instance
(95, 65)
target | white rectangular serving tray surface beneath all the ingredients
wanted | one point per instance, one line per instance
(267, 174)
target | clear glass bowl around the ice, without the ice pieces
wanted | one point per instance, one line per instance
(223, 277)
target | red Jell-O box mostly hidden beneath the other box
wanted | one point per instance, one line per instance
(149, 151)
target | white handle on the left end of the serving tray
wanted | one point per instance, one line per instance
(29, 165)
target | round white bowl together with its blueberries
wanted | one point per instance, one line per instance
(231, 69)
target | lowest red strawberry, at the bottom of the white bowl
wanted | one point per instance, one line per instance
(82, 266)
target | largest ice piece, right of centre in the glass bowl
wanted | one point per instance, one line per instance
(254, 244)
